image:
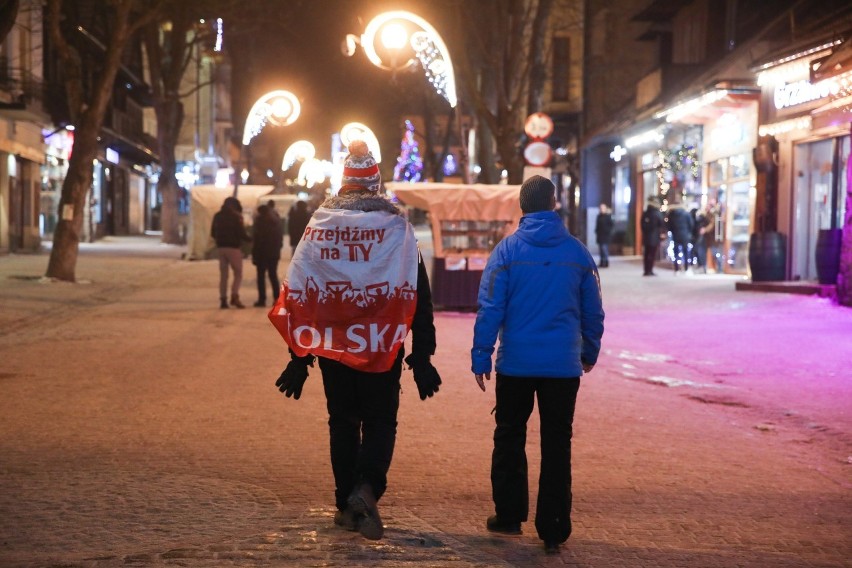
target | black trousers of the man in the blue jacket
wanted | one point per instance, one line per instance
(509, 485)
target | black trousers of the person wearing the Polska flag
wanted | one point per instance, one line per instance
(362, 409)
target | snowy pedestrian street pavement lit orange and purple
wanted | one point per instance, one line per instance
(140, 426)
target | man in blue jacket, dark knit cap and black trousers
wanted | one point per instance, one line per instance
(541, 294)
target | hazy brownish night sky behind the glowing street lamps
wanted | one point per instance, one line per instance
(300, 50)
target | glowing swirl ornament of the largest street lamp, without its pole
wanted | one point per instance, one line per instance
(429, 49)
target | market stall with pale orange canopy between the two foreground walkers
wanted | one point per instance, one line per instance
(467, 223)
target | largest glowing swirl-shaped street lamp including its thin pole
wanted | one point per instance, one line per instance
(427, 48)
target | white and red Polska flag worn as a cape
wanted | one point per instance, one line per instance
(351, 289)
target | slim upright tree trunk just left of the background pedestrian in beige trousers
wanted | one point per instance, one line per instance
(169, 120)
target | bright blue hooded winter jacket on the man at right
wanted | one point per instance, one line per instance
(540, 291)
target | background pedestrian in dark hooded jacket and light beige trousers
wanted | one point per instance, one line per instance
(229, 232)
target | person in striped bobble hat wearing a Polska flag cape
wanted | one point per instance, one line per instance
(358, 268)
